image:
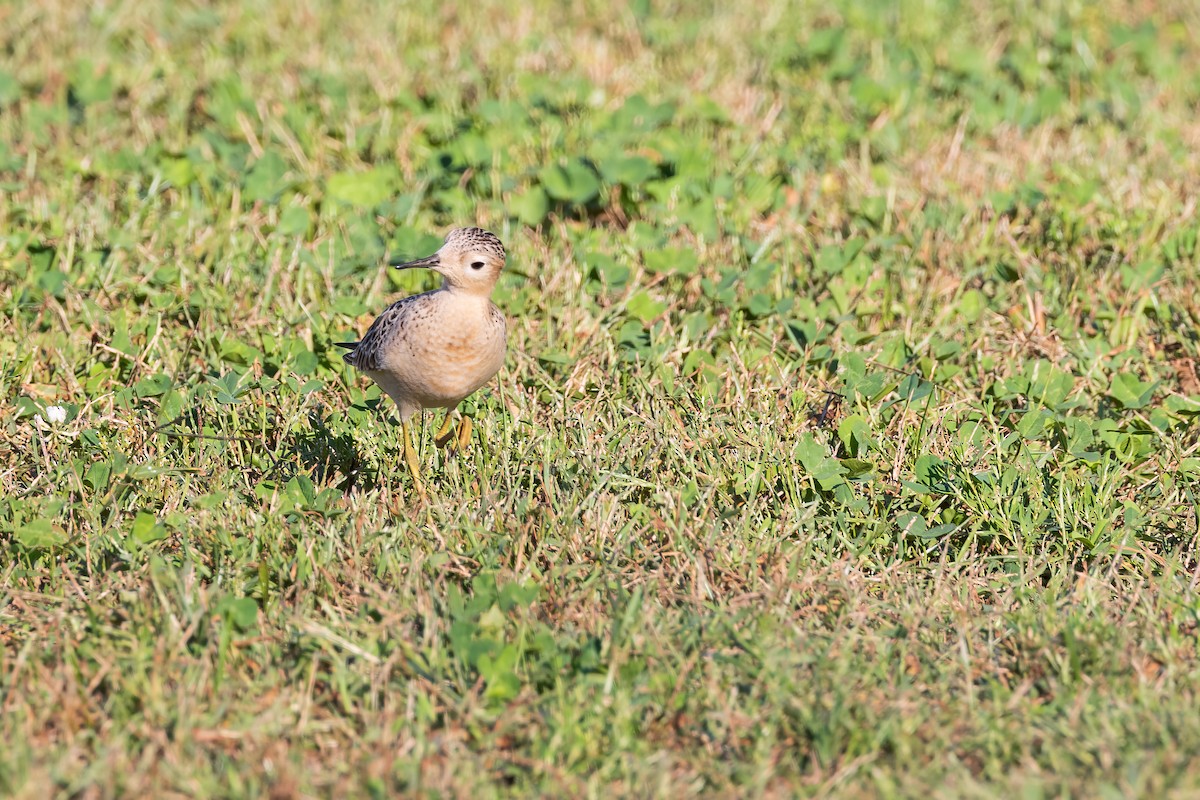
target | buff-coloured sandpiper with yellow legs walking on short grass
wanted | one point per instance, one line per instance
(435, 350)
